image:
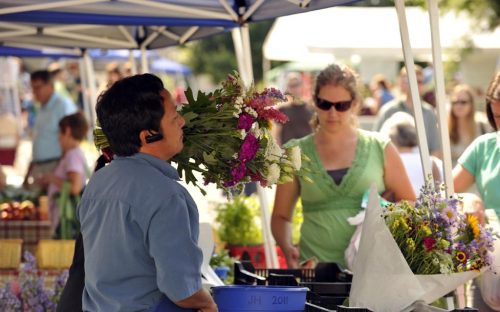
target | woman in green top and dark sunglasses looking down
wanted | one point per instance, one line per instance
(345, 161)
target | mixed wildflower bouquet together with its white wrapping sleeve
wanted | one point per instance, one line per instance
(420, 252)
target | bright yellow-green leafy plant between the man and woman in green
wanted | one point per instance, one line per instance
(239, 221)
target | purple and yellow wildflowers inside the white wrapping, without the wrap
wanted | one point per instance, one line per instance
(435, 238)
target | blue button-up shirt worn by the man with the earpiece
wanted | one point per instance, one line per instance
(140, 233)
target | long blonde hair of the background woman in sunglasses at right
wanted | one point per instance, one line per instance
(470, 122)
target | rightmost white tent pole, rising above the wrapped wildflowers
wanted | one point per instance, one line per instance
(440, 95)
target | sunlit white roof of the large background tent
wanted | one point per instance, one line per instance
(292, 38)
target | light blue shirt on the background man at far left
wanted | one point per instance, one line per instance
(46, 130)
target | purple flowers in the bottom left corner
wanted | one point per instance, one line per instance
(28, 293)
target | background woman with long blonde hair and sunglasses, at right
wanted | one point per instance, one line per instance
(464, 123)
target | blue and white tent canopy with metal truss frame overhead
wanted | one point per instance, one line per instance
(130, 24)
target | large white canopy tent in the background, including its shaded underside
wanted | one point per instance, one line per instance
(374, 46)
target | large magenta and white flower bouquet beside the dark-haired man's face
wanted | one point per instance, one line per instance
(228, 140)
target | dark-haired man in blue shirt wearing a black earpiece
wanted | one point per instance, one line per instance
(139, 225)
